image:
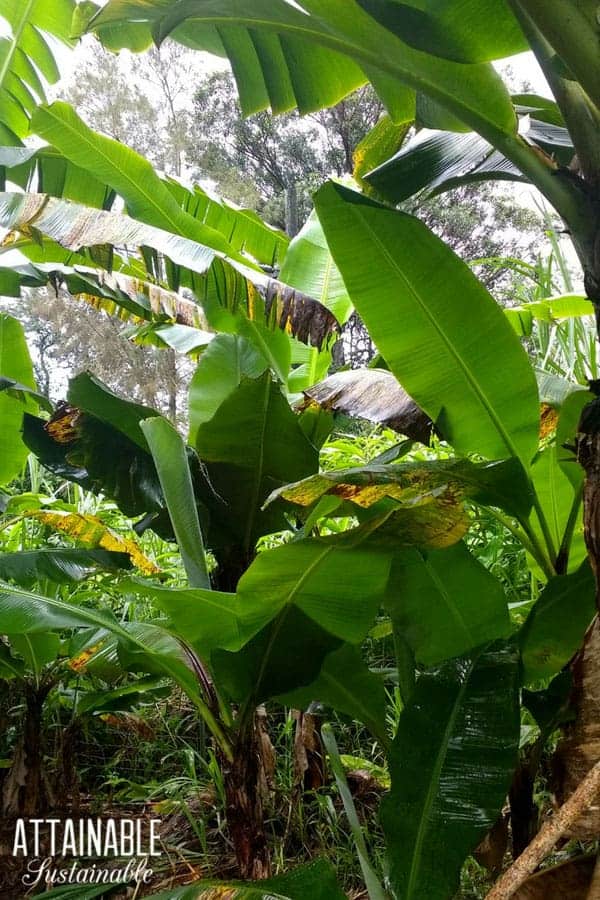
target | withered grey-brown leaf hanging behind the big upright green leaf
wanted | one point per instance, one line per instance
(373, 394)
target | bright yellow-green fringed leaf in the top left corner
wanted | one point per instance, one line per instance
(27, 59)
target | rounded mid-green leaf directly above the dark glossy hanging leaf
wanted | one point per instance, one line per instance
(444, 603)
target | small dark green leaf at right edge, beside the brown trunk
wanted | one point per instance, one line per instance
(555, 627)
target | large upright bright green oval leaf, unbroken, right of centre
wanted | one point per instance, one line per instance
(440, 331)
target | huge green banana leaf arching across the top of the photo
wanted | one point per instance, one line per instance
(340, 25)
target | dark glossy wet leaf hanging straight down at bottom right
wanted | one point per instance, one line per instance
(451, 764)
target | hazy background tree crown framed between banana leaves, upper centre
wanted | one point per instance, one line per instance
(284, 159)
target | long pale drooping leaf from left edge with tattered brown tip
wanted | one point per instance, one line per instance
(249, 293)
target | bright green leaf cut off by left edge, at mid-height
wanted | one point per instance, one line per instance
(15, 367)
